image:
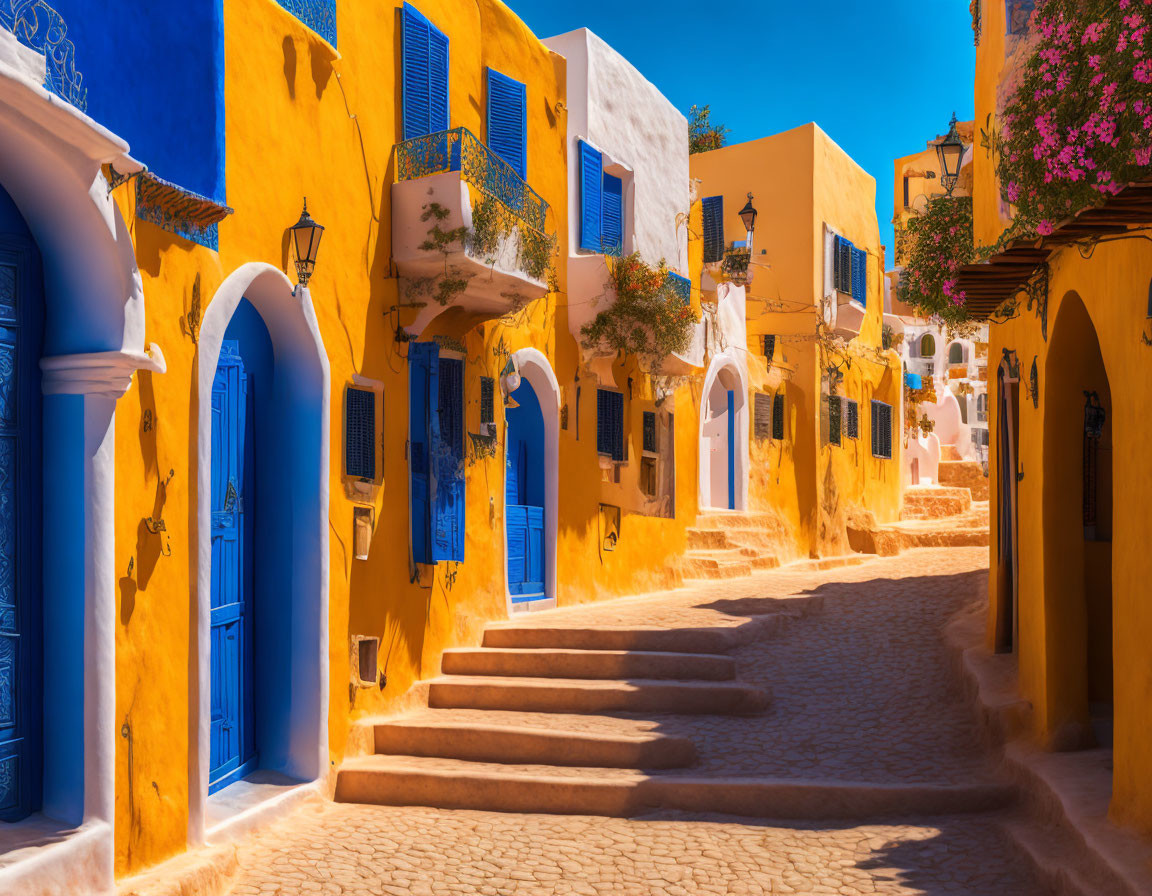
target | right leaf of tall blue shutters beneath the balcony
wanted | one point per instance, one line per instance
(449, 464)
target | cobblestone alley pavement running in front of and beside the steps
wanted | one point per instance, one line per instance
(862, 698)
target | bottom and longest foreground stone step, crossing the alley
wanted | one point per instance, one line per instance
(442, 784)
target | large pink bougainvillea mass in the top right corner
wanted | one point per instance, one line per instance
(1080, 125)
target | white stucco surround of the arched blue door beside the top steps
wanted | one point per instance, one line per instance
(535, 368)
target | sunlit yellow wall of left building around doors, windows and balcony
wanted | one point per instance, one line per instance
(304, 123)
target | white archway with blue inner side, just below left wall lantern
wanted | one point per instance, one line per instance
(291, 672)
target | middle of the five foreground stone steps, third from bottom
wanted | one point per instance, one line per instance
(585, 696)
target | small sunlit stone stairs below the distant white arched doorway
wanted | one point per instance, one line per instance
(729, 544)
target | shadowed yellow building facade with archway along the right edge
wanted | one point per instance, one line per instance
(1068, 384)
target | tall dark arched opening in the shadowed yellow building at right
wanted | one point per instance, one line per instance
(1078, 533)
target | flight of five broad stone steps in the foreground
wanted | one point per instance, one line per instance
(554, 719)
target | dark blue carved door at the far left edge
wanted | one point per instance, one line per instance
(21, 498)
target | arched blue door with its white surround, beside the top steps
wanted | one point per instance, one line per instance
(532, 469)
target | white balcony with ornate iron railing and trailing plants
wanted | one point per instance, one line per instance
(468, 236)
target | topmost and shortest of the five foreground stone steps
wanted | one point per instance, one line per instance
(608, 639)
